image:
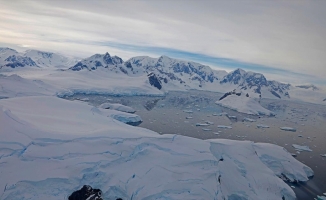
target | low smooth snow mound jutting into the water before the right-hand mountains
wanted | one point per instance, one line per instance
(244, 104)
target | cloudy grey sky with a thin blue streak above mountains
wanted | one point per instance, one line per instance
(284, 40)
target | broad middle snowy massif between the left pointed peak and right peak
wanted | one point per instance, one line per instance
(176, 73)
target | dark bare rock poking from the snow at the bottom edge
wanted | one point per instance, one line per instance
(86, 192)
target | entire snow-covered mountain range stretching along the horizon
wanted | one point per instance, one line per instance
(171, 74)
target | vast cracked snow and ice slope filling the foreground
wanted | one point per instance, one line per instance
(50, 147)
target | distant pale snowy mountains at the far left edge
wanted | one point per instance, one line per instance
(10, 58)
